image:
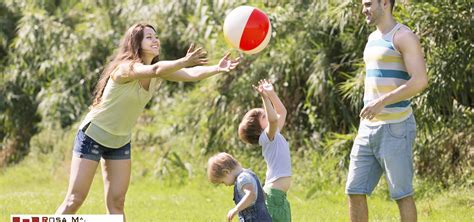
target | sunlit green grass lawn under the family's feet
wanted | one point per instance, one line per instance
(38, 186)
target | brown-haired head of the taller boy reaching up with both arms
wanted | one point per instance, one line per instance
(252, 125)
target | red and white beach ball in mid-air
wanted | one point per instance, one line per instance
(248, 29)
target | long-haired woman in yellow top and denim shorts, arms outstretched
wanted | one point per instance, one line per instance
(125, 87)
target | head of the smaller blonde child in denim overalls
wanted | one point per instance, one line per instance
(219, 168)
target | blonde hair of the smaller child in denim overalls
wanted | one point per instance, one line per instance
(218, 163)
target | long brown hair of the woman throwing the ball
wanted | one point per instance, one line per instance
(129, 50)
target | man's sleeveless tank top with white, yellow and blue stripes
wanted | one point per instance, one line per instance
(385, 71)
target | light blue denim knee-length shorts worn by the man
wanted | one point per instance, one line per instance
(385, 148)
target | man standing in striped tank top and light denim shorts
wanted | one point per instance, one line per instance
(395, 72)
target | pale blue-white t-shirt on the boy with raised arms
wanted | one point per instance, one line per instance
(277, 156)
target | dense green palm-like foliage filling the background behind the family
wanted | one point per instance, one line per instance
(52, 60)
